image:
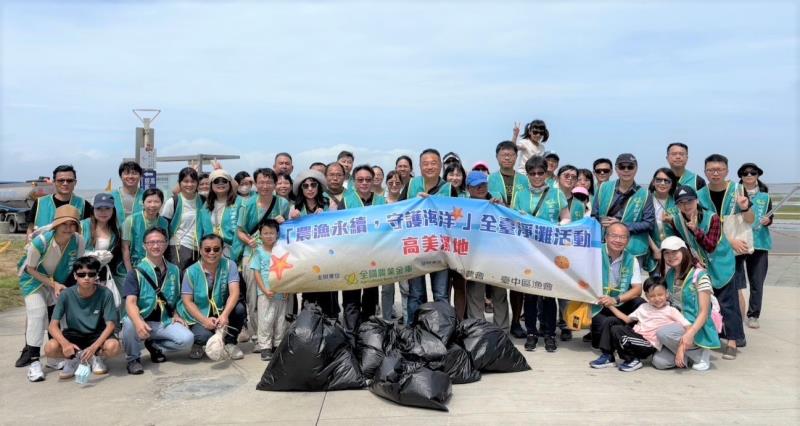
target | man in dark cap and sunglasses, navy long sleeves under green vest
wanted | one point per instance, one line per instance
(625, 201)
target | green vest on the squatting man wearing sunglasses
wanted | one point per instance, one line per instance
(214, 305)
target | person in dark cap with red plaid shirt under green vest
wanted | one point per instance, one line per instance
(701, 228)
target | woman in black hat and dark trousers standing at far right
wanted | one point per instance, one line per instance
(756, 262)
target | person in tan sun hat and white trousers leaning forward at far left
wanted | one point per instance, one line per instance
(45, 273)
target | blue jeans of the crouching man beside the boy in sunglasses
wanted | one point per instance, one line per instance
(172, 338)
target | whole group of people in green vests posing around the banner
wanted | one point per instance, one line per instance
(138, 269)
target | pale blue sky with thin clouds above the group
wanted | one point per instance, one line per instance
(387, 79)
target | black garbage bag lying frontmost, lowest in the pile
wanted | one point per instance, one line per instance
(411, 383)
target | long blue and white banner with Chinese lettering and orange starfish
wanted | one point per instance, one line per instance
(367, 247)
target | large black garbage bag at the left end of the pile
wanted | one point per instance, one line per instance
(313, 356)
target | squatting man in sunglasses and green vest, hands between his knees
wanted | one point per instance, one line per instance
(209, 284)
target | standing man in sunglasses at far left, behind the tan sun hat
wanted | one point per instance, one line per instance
(44, 209)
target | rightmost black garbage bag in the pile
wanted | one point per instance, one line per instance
(490, 347)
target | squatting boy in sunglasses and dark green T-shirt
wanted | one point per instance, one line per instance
(90, 316)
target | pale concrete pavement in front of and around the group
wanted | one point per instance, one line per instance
(761, 387)
